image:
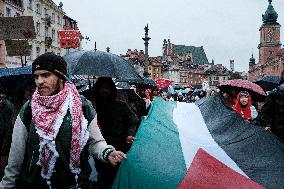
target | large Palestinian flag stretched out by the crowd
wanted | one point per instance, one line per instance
(204, 145)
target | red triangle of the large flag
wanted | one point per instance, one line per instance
(206, 172)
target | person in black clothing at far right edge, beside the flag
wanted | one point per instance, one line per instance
(271, 114)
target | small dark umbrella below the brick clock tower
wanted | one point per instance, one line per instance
(268, 83)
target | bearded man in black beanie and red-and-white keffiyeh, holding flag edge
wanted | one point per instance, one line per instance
(55, 133)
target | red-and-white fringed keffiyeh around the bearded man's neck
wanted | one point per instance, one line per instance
(47, 115)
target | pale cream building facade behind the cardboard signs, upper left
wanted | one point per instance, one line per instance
(48, 20)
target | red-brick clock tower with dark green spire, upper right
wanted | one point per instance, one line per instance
(270, 53)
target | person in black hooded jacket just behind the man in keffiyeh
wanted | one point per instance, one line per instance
(117, 123)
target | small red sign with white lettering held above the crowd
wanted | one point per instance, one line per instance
(69, 39)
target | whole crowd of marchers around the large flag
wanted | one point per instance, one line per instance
(47, 139)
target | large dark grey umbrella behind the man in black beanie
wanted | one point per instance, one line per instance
(101, 64)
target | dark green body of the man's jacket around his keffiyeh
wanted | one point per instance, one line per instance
(62, 177)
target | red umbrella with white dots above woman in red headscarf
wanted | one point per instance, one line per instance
(237, 85)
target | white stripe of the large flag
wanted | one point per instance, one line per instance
(194, 134)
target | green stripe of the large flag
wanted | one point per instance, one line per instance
(156, 158)
